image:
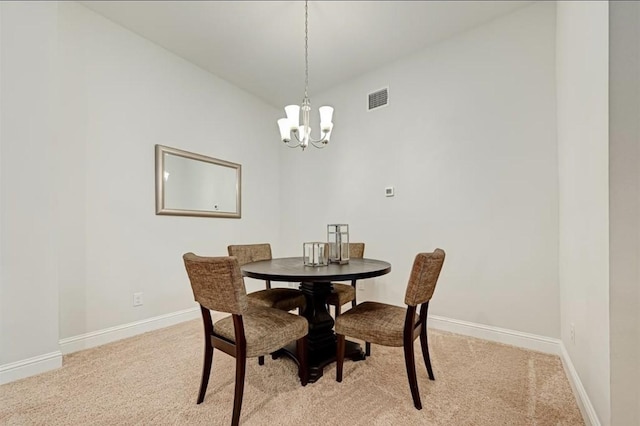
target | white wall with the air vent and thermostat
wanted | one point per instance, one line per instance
(468, 140)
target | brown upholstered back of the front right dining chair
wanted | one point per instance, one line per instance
(424, 276)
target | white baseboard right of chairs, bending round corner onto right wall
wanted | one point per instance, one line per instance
(527, 341)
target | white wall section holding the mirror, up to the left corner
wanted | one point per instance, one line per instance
(121, 95)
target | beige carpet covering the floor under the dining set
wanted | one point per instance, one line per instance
(153, 379)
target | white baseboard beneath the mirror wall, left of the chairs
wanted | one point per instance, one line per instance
(108, 335)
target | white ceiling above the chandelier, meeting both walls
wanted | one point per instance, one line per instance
(259, 45)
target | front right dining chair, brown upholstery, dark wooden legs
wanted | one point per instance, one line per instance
(390, 325)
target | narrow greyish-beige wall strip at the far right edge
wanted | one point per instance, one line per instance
(624, 187)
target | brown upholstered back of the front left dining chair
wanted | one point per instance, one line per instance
(217, 283)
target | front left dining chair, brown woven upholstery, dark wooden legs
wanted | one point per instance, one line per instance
(250, 330)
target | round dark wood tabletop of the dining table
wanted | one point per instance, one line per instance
(293, 269)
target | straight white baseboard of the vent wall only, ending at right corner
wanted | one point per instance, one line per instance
(496, 334)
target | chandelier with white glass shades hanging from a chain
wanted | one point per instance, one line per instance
(292, 133)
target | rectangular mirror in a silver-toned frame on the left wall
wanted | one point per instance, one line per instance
(189, 184)
